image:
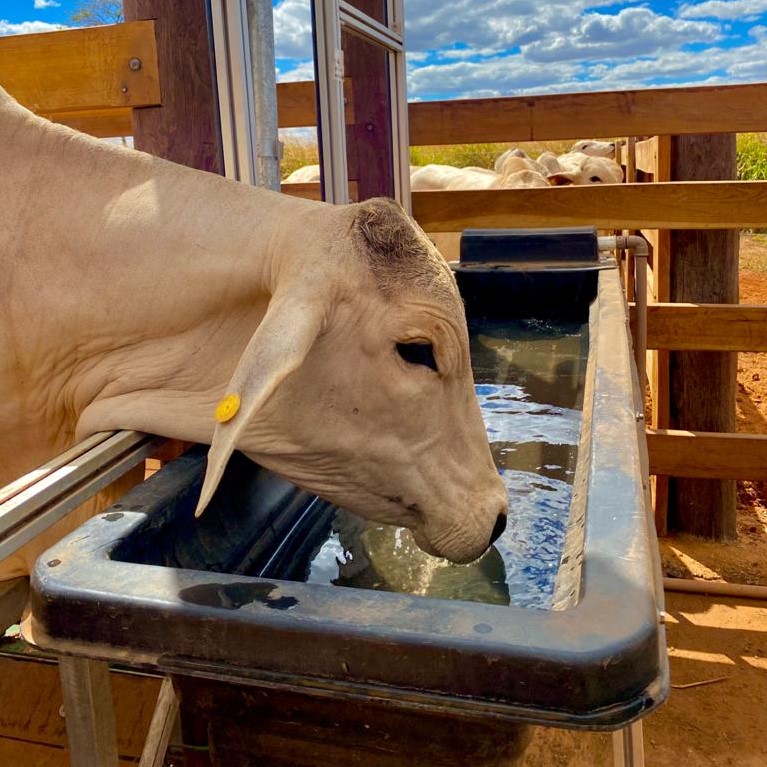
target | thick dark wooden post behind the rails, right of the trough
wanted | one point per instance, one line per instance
(704, 269)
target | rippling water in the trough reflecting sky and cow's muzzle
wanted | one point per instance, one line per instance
(529, 378)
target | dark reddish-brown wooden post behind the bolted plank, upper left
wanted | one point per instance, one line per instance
(185, 128)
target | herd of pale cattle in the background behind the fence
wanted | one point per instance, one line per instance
(587, 162)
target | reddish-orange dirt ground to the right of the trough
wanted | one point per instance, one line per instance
(716, 715)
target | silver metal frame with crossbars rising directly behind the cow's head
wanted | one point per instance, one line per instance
(330, 16)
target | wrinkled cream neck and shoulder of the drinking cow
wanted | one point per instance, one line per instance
(123, 273)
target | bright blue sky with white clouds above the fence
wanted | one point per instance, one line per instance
(474, 48)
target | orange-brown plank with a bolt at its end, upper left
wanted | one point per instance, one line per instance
(82, 68)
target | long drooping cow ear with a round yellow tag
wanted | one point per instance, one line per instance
(277, 348)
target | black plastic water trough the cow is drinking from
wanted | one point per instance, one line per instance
(321, 630)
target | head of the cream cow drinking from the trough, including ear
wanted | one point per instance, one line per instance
(358, 387)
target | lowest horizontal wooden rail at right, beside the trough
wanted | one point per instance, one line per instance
(707, 455)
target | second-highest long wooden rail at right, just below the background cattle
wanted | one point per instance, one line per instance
(674, 205)
